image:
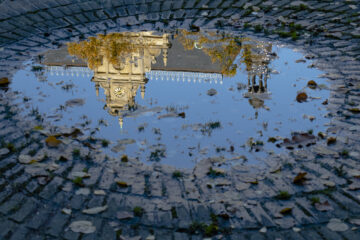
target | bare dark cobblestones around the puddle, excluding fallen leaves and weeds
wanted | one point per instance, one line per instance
(32, 204)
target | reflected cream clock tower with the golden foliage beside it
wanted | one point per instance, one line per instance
(121, 64)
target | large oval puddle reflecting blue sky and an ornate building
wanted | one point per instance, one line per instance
(178, 98)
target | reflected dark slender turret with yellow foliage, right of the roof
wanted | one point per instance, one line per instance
(232, 52)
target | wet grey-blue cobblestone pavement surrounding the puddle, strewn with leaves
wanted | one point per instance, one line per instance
(128, 200)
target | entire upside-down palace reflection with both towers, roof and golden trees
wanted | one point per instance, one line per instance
(122, 63)
